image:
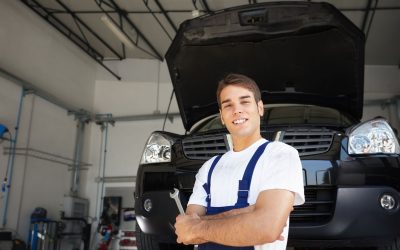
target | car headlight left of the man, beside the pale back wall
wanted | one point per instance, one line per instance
(157, 149)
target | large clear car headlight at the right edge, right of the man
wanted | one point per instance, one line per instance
(373, 137)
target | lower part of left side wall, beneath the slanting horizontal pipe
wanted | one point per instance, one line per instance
(35, 182)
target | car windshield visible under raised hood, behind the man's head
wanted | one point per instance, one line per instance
(290, 115)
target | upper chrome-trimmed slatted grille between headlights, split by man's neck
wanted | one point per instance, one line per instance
(306, 141)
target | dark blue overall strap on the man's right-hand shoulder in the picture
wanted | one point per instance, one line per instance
(244, 184)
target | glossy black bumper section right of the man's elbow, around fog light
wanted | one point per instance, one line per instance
(358, 219)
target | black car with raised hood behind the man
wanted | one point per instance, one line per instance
(308, 60)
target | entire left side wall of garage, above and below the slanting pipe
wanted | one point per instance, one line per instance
(32, 51)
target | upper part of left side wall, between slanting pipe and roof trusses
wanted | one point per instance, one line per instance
(32, 50)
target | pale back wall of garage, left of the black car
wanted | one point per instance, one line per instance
(145, 89)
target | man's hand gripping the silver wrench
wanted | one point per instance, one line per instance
(186, 227)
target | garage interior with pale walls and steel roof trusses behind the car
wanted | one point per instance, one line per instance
(78, 101)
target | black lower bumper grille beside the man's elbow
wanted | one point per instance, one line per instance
(318, 208)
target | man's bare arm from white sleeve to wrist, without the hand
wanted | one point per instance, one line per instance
(262, 225)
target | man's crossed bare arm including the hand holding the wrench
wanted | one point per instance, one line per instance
(258, 224)
